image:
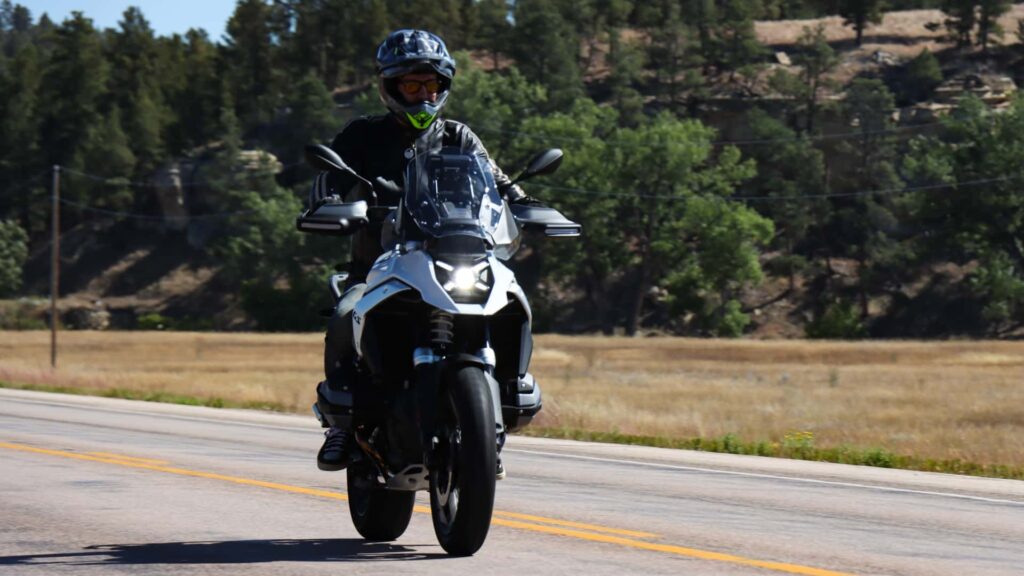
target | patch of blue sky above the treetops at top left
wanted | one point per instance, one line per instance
(165, 17)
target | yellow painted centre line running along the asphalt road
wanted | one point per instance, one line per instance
(554, 530)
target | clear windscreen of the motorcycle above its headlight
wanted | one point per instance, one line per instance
(453, 193)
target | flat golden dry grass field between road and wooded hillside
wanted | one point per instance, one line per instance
(962, 400)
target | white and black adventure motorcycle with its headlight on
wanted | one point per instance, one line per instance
(444, 342)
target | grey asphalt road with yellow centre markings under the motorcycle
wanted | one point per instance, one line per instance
(98, 486)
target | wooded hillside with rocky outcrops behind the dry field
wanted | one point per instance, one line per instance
(824, 234)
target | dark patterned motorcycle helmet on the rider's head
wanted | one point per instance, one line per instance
(406, 52)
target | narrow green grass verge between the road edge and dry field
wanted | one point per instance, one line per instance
(799, 445)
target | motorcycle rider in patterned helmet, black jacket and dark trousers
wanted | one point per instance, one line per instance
(416, 74)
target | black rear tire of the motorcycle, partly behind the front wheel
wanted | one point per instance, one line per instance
(378, 515)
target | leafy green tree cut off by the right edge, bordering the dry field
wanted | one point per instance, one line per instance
(982, 222)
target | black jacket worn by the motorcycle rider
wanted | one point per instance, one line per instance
(381, 147)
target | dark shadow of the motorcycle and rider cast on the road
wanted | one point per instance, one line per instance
(241, 552)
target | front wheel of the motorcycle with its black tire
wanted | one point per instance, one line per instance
(462, 480)
